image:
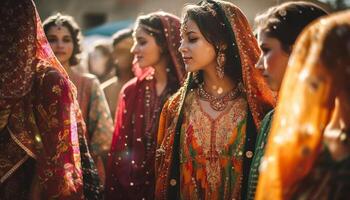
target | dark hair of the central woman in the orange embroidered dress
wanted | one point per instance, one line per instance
(214, 31)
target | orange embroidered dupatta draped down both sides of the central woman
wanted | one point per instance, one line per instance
(259, 97)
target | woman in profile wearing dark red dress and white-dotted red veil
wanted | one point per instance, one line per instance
(159, 72)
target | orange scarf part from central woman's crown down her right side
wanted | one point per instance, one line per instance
(246, 54)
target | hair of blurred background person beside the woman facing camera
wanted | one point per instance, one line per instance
(106, 51)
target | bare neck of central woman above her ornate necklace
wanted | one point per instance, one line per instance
(215, 85)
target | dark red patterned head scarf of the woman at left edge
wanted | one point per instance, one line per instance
(23, 45)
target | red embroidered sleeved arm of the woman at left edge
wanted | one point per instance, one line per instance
(59, 165)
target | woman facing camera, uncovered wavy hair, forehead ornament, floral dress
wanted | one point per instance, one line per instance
(64, 37)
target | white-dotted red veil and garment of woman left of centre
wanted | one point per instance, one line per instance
(130, 166)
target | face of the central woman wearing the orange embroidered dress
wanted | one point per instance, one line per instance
(196, 51)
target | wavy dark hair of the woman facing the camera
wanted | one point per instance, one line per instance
(68, 22)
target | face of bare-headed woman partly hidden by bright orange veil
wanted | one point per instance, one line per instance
(273, 60)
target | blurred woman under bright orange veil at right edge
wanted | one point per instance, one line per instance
(308, 150)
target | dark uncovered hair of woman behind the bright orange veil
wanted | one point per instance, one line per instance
(286, 21)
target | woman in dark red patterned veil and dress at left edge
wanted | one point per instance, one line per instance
(39, 117)
